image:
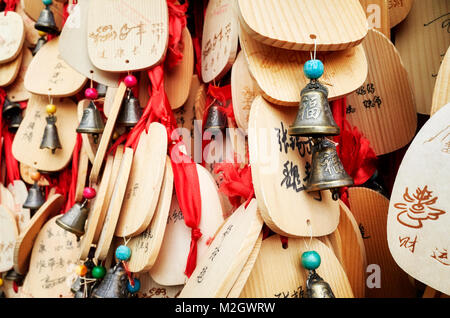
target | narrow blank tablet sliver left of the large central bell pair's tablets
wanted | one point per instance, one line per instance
(244, 89)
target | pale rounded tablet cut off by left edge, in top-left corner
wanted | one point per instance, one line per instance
(13, 34)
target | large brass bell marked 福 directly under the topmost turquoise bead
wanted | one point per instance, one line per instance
(314, 117)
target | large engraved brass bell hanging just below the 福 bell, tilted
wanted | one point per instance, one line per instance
(327, 171)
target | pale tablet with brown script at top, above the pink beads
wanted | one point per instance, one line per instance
(127, 35)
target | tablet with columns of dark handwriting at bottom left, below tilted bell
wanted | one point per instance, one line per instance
(52, 264)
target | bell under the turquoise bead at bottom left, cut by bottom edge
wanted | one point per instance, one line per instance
(114, 284)
